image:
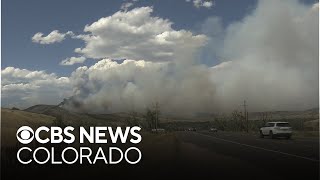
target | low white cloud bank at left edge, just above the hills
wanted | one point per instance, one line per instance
(23, 88)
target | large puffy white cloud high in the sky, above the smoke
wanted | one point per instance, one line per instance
(138, 35)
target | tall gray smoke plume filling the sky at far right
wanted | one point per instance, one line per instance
(274, 53)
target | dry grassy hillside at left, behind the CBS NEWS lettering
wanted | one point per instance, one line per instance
(45, 115)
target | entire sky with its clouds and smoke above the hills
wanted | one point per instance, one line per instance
(233, 40)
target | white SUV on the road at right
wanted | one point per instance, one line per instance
(276, 129)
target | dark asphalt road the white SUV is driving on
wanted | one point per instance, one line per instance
(241, 155)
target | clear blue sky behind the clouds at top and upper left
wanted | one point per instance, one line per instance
(22, 19)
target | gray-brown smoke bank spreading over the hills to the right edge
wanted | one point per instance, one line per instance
(270, 59)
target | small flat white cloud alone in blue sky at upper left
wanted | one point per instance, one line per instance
(53, 37)
